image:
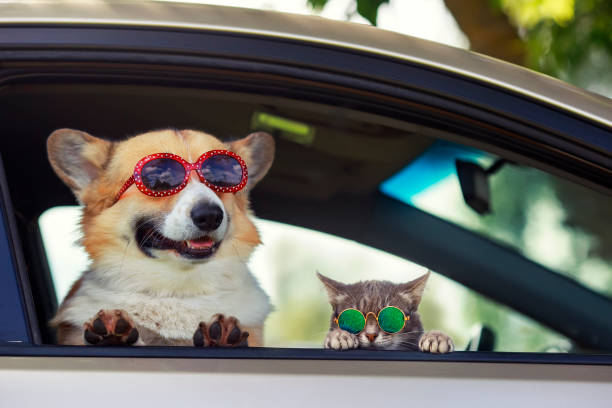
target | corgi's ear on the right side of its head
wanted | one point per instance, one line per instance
(257, 150)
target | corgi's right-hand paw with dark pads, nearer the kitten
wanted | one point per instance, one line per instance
(220, 332)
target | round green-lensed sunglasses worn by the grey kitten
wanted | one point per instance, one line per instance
(390, 319)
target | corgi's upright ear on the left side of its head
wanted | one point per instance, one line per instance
(77, 157)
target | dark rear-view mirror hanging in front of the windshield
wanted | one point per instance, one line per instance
(474, 182)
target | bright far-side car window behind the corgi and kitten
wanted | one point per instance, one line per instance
(285, 266)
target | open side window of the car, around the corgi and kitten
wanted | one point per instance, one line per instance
(325, 207)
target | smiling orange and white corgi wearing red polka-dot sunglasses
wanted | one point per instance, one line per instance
(166, 224)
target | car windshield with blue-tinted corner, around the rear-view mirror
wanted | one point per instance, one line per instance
(556, 223)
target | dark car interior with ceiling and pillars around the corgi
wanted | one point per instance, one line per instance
(330, 164)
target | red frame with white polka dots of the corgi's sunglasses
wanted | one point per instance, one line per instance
(136, 178)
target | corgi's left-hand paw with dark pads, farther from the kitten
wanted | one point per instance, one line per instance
(110, 328)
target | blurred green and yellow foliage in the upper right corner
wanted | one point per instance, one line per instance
(571, 40)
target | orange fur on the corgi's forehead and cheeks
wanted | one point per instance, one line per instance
(97, 224)
